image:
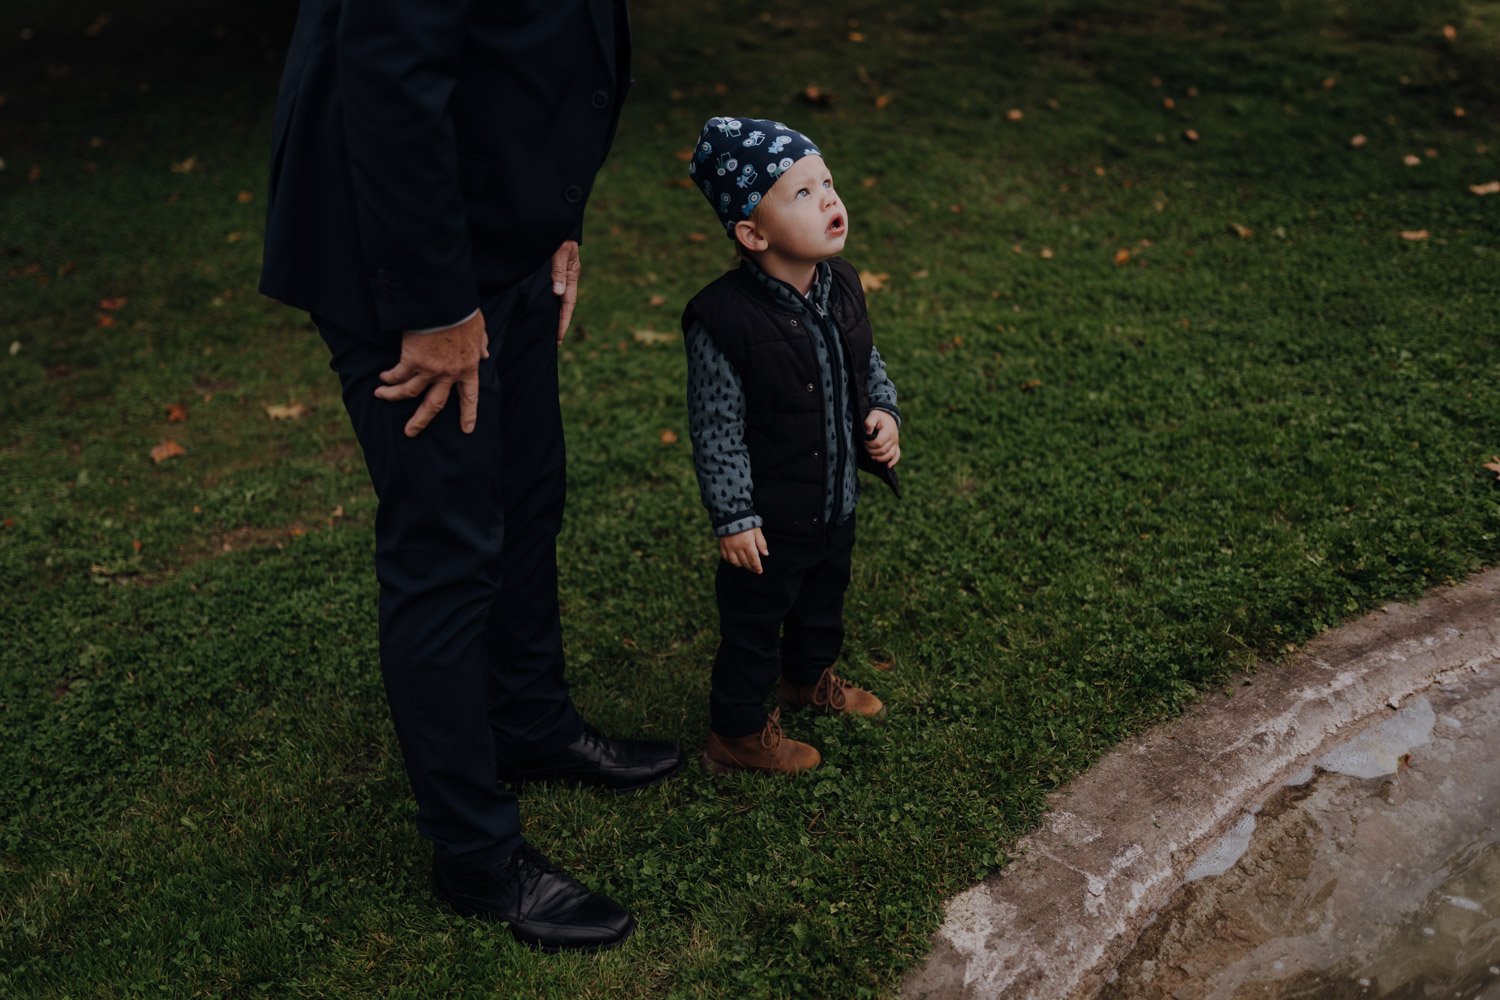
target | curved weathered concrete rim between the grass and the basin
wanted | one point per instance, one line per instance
(1117, 842)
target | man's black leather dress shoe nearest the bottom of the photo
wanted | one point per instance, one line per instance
(544, 908)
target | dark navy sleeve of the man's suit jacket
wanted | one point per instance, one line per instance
(397, 70)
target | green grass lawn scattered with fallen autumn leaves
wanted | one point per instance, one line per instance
(1178, 394)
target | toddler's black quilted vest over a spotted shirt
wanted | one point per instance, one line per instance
(776, 358)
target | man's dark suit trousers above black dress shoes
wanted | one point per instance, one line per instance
(466, 554)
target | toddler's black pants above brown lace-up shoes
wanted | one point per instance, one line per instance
(787, 621)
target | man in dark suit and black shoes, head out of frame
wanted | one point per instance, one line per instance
(430, 158)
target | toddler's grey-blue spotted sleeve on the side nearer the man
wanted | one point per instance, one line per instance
(716, 422)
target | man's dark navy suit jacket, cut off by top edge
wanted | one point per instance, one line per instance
(430, 154)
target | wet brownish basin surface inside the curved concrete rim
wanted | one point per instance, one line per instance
(1376, 879)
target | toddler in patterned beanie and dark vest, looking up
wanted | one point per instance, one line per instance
(782, 376)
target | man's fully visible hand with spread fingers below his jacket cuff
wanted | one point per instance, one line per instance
(431, 365)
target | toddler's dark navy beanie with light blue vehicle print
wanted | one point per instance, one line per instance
(739, 160)
